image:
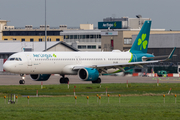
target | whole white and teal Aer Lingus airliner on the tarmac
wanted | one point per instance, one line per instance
(87, 65)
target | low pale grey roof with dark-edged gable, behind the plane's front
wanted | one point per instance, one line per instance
(13, 47)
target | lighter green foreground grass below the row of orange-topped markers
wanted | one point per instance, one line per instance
(131, 107)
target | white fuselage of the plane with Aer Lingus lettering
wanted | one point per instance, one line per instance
(61, 62)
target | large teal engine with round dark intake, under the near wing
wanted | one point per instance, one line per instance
(88, 74)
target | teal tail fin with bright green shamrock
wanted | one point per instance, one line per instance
(140, 45)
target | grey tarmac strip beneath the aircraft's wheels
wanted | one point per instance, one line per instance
(54, 79)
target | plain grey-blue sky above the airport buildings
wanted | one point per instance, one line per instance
(164, 13)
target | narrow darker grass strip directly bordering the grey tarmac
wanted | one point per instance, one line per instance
(91, 89)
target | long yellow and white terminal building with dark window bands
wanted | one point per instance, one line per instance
(84, 38)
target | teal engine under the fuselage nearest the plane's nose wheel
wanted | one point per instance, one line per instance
(40, 77)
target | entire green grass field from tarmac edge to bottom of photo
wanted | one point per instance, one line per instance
(138, 101)
